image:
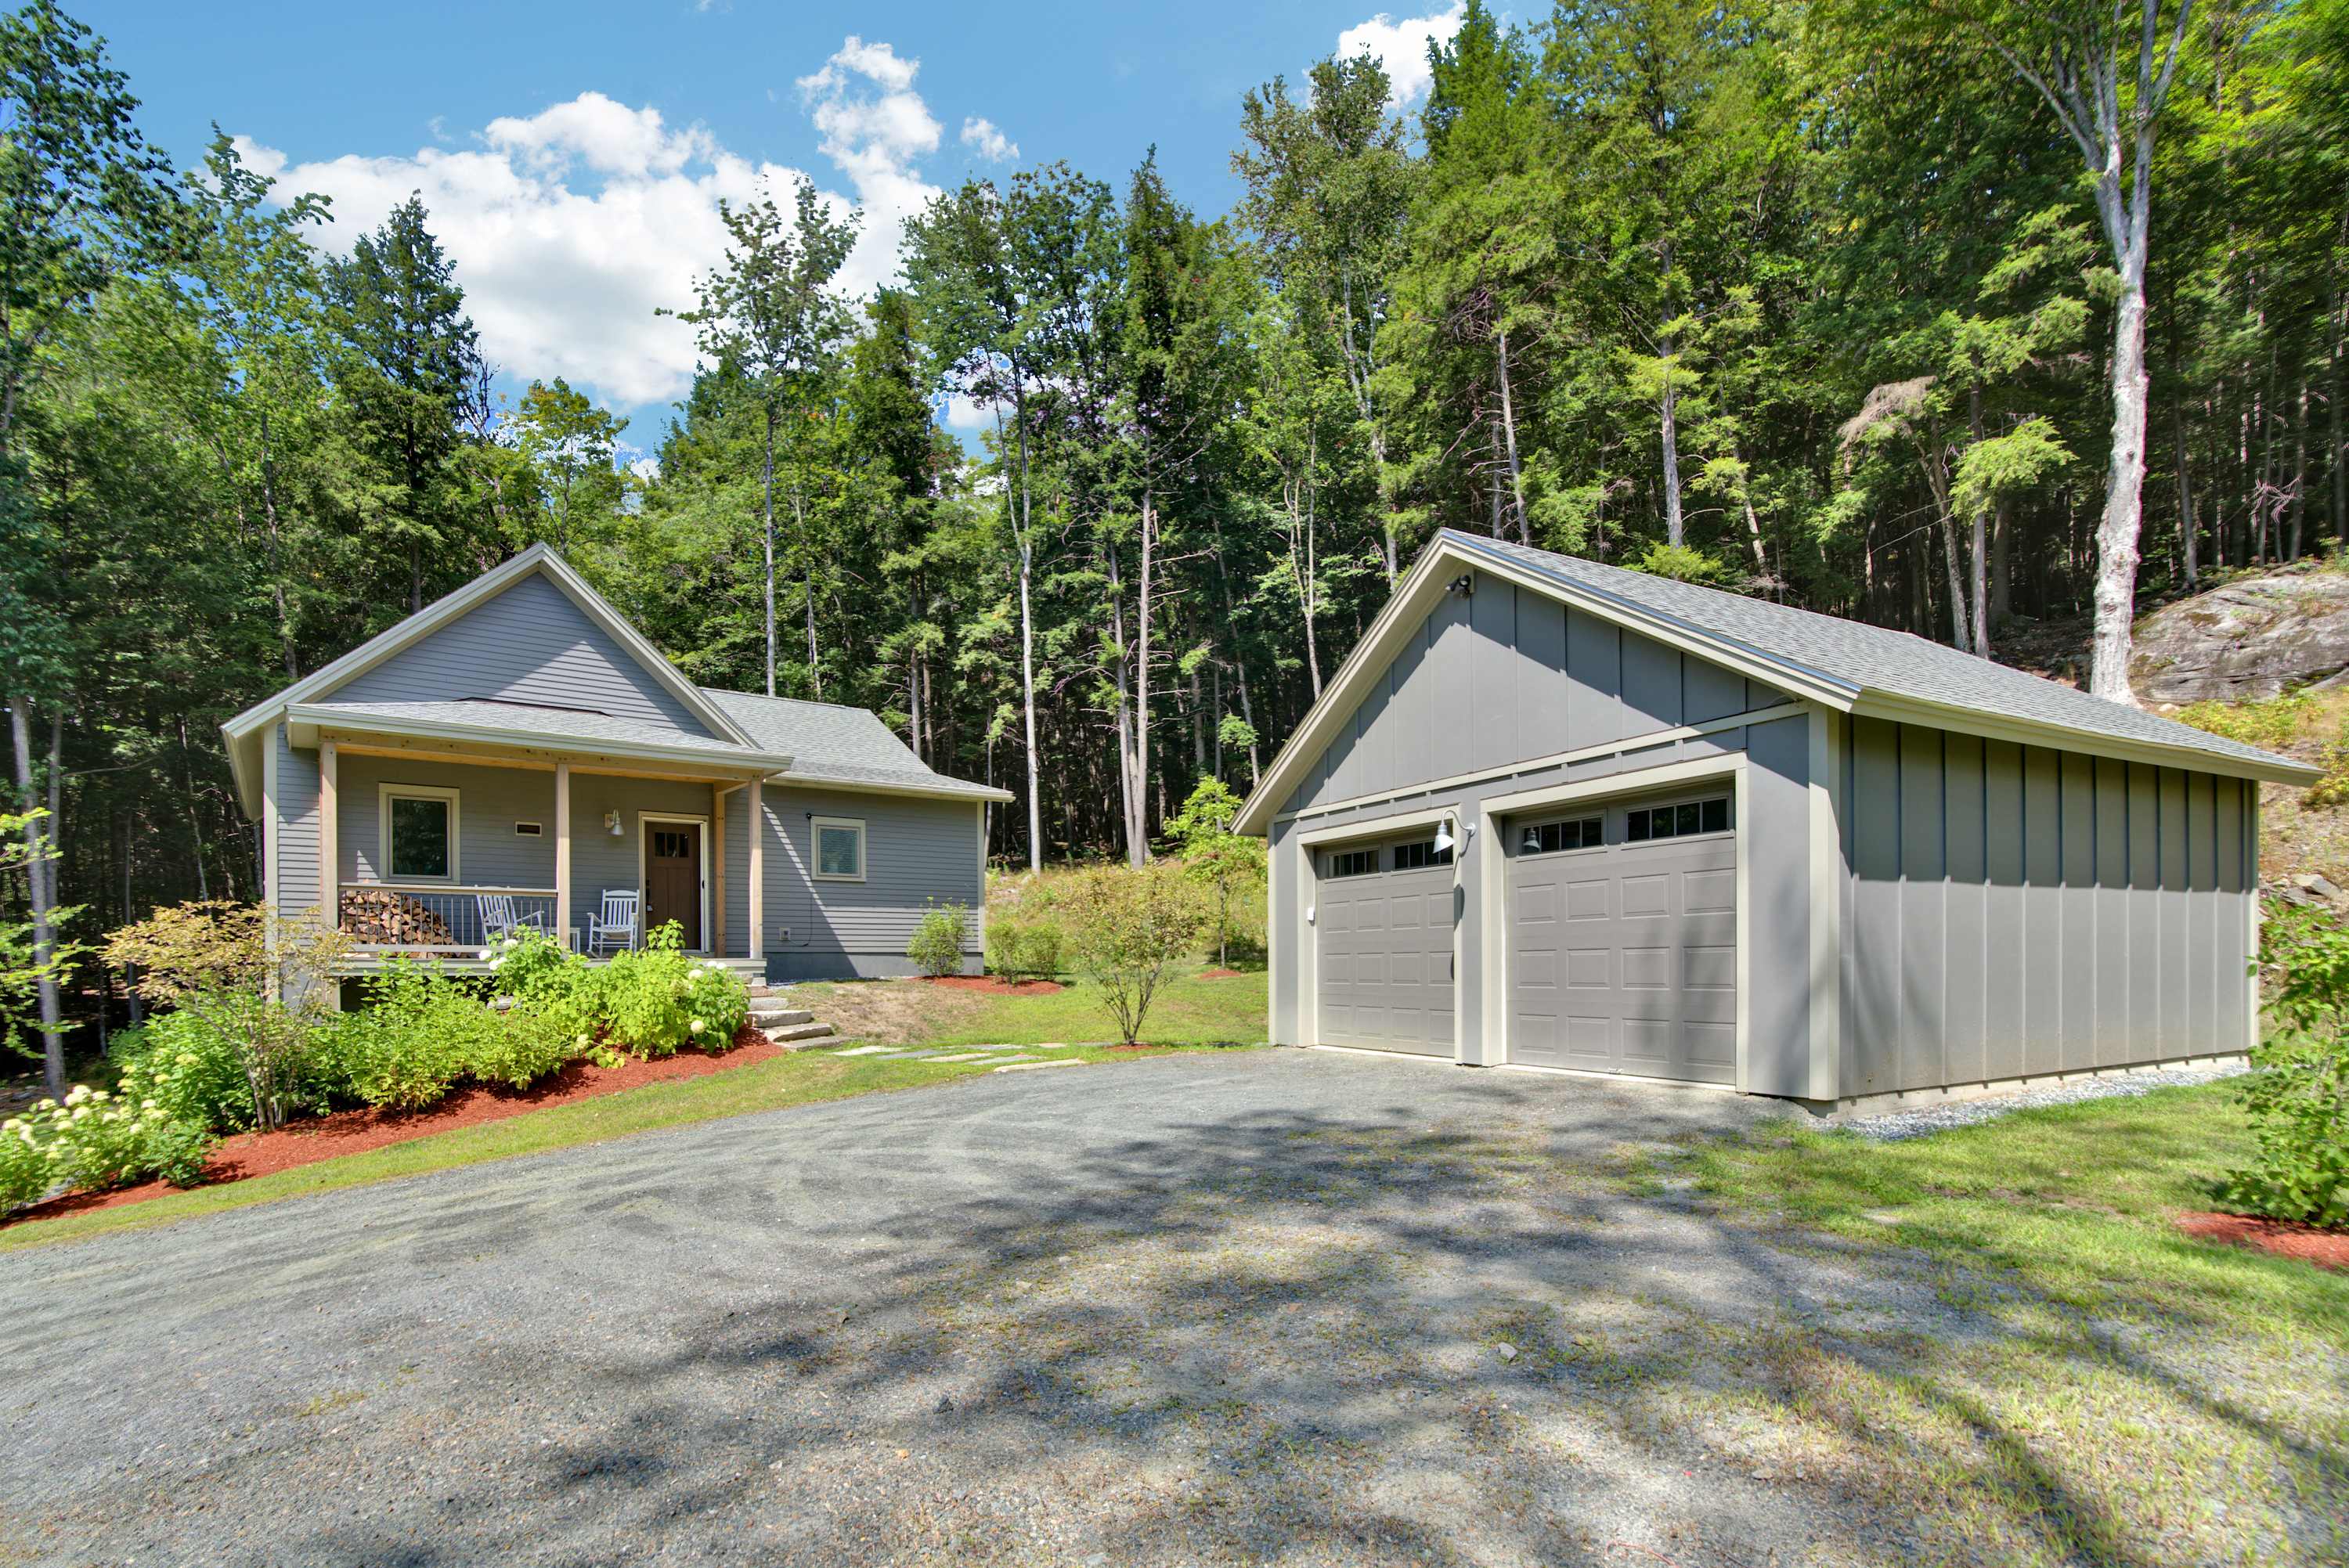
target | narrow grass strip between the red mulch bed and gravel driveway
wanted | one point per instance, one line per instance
(772, 1086)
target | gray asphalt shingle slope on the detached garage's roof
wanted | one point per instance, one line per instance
(1864, 658)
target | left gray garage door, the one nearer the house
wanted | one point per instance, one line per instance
(1382, 933)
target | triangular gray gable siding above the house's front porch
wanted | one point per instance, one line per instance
(530, 644)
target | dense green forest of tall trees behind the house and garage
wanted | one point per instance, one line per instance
(1948, 316)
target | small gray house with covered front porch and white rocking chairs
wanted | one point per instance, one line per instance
(518, 752)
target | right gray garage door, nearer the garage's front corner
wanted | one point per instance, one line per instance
(1622, 928)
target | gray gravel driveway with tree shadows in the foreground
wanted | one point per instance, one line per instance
(1270, 1306)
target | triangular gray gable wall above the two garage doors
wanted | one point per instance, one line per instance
(1505, 675)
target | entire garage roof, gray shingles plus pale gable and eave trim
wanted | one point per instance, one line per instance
(1845, 665)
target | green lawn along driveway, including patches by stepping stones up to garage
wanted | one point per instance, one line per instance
(1194, 1013)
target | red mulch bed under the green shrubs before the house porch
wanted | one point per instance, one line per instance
(351, 1133)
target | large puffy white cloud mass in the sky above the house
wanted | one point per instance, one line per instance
(574, 224)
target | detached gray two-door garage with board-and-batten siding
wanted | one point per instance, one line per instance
(1566, 816)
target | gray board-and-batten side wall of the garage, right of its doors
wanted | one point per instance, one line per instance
(2017, 912)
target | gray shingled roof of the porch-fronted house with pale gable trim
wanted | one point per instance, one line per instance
(844, 750)
